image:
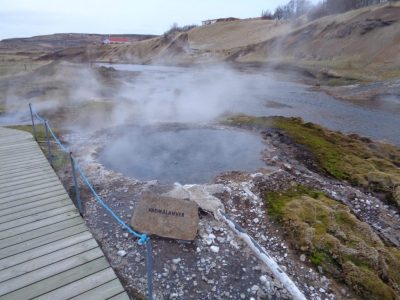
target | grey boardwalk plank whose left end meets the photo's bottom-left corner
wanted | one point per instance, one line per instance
(48, 271)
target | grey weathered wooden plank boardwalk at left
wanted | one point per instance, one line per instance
(46, 251)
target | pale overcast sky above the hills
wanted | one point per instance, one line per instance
(24, 18)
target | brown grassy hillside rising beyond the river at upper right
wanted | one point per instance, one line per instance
(351, 45)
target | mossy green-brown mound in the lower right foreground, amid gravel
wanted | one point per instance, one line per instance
(334, 239)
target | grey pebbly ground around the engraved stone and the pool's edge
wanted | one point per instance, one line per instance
(218, 264)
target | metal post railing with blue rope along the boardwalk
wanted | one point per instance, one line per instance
(77, 170)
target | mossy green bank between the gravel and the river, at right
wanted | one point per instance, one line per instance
(365, 163)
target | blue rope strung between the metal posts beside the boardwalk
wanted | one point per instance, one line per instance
(143, 238)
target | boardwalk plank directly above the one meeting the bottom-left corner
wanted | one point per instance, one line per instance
(42, 261)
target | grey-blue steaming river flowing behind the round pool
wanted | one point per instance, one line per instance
(265, 94)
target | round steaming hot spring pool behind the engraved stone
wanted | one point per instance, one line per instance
(184, 155)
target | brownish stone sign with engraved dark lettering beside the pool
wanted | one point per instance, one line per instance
(166, 217)
